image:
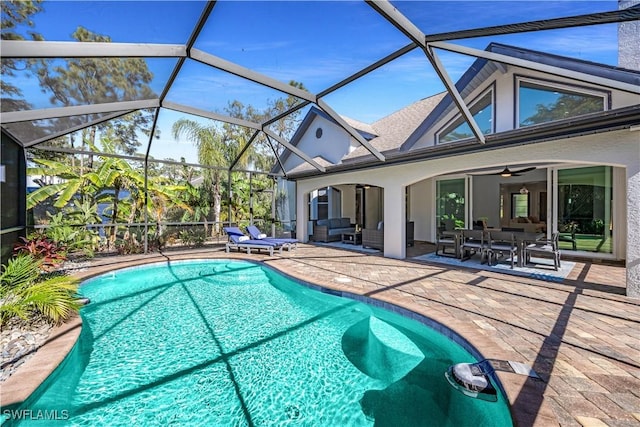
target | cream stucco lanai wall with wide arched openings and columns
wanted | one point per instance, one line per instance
(620, 149)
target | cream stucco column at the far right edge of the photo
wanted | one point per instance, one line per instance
(633, 230)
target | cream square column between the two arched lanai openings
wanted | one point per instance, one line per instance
(395, 222)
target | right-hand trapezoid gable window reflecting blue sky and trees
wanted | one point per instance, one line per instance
(538, 103)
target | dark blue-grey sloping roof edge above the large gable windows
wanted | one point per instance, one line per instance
(482, 68)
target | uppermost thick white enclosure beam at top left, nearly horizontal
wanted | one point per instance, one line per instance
(45, 49)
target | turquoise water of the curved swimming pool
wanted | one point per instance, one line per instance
(233, 343)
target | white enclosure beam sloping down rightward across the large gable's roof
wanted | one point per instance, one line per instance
(549, 69)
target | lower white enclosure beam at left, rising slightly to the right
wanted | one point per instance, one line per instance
(76, 110)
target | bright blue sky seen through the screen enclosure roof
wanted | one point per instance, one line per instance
(318, 43)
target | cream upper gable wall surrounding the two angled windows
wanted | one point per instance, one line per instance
(505, 87)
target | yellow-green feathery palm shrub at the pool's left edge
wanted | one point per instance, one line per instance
(24, 293)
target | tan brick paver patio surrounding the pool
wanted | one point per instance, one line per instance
(579, 335)
